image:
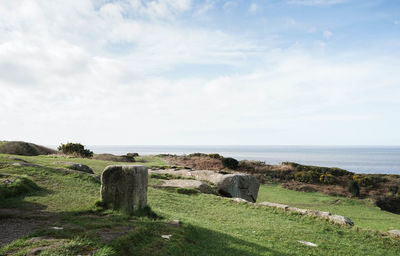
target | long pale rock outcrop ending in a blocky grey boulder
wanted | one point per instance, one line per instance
(238, 185)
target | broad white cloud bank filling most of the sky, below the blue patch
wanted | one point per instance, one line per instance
(104, 72)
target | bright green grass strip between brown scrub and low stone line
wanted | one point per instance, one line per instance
(364, 213)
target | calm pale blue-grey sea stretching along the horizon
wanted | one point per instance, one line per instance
(357, 159)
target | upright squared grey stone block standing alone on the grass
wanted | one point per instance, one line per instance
(124, 187)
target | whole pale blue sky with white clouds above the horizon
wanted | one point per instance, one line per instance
(200, 72)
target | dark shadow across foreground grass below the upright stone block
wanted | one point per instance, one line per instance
(142, 235)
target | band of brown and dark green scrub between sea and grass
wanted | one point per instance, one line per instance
(380, 188)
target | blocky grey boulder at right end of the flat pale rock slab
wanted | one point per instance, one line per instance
(238, 185)
